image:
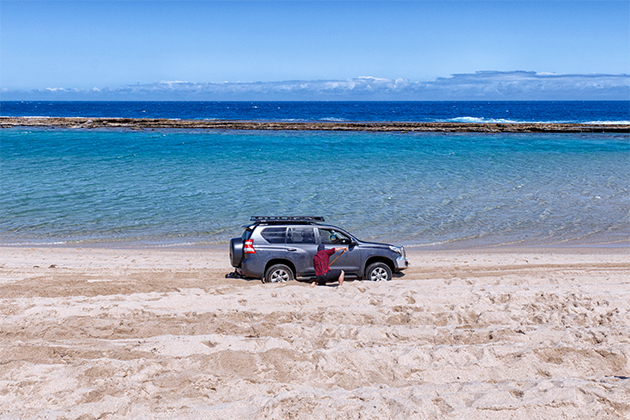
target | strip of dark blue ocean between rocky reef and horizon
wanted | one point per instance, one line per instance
(516, 111)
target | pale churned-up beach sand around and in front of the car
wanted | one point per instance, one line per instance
(161, 334)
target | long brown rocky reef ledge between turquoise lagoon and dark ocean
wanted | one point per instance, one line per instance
(149, 123)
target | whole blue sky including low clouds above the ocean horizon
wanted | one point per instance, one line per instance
(216, 50)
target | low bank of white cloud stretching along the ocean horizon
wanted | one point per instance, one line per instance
(482, 85)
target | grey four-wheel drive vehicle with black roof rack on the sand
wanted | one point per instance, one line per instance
(281, 248)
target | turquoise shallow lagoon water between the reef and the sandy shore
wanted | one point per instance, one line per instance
(148, 188)
